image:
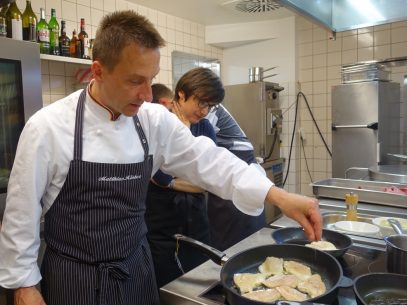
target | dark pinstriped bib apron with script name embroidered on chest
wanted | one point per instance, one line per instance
(95, 232)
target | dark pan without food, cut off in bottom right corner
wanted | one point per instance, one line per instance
(383, 286)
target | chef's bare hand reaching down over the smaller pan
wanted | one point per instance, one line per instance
(304, 210)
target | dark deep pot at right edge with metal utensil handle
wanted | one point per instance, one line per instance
(396, 248)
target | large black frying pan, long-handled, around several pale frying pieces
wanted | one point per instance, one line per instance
(249, 260)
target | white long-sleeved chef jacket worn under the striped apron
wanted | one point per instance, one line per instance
(45, 150)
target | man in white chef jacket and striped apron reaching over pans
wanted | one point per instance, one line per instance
(84, 162)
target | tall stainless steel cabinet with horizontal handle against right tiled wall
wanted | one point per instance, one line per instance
(366, 125)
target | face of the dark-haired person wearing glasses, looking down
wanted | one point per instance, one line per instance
(193, 109)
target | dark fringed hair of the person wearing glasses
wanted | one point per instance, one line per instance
(202, 83)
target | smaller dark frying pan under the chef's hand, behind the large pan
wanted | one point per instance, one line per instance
(295, 235)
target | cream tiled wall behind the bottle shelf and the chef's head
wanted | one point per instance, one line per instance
(58, 79)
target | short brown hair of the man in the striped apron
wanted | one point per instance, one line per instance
(119, 29)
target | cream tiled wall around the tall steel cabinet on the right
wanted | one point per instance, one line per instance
(320, 61)
